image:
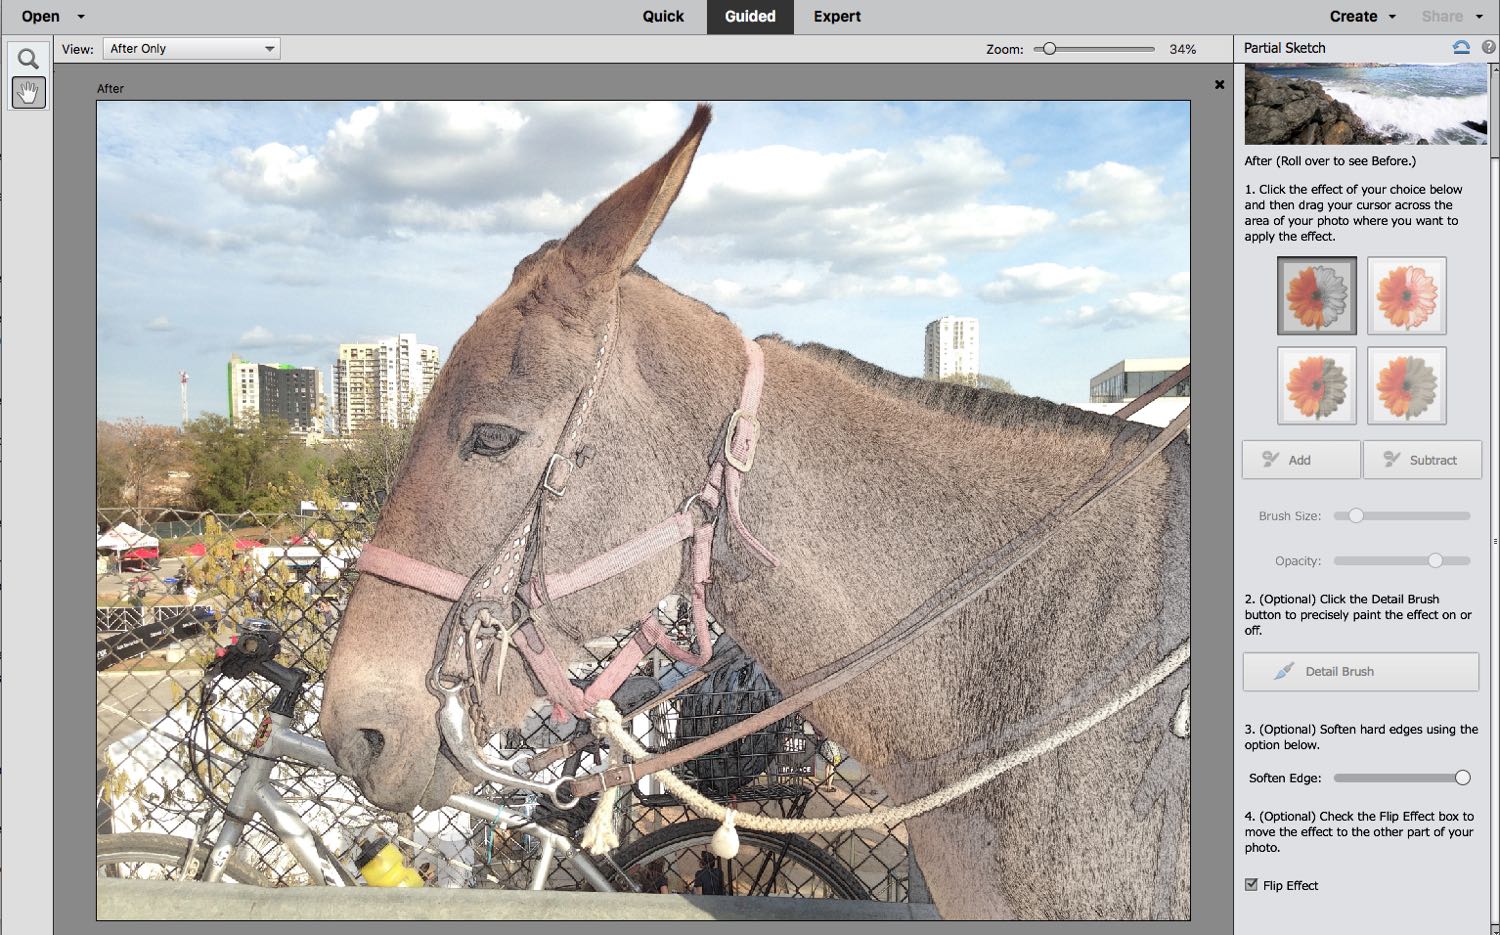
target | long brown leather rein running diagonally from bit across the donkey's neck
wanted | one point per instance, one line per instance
(839, 673)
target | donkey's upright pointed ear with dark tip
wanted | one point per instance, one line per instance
(616, 233)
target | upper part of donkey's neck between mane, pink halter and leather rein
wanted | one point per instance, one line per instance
(880, 501)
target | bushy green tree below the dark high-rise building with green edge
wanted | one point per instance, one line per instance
(238, 469)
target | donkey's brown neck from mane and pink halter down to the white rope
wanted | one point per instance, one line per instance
(875, 502)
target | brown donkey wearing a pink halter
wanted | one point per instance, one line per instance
(874, 490)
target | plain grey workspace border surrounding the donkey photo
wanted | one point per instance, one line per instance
(1213, 112)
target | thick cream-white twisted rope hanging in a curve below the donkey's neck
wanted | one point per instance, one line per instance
(607, 717)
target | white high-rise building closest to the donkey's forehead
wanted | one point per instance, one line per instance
(383, 382)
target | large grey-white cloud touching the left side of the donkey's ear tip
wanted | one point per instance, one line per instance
(410, 166)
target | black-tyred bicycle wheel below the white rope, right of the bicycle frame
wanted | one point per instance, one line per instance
(767, 865)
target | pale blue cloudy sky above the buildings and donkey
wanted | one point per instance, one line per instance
(278, 230)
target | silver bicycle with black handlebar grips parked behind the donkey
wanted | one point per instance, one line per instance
(767, 865)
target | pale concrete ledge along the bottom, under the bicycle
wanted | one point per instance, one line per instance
(151, 900)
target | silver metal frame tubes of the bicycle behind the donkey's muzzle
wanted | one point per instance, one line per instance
(254, 795)
